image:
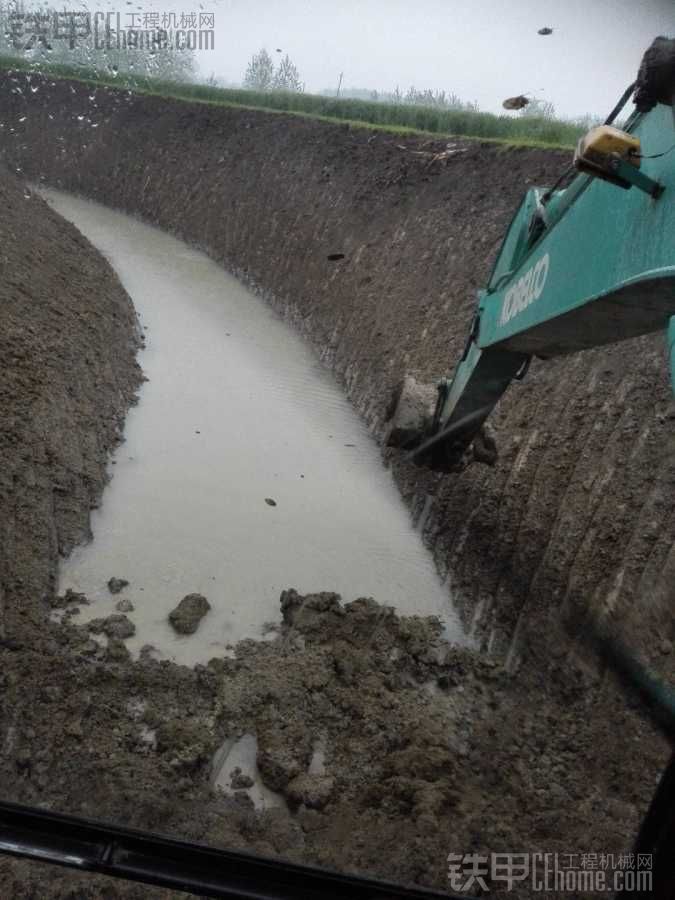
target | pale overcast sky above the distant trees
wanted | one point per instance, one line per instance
(481, 50)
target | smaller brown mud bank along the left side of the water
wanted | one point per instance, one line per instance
(68, 339)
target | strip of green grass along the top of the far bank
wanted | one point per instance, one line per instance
(399, 118)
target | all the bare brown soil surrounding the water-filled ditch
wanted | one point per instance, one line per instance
(429, 749)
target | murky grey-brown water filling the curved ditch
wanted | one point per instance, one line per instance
(237, 412)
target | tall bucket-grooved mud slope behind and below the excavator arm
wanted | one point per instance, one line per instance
(579, 508)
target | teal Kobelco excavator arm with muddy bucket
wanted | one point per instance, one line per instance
(588, 262)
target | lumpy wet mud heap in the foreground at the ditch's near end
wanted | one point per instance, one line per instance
(426, 749)
